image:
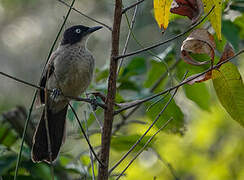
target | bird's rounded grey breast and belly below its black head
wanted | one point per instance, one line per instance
(73, 70)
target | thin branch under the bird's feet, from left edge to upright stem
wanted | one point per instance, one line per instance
(90, 101)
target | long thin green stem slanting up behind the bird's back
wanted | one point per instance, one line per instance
(35, 94)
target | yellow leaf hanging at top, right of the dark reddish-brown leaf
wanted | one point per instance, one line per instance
(215, 16)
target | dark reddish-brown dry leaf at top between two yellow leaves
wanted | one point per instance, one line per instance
(193, 9)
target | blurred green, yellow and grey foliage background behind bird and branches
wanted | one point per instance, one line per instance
(202, 141)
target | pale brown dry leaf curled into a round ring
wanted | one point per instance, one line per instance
(200, 41)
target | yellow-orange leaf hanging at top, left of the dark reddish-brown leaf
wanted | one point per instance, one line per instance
(161, 12)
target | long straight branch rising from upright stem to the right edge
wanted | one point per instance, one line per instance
(177, 86)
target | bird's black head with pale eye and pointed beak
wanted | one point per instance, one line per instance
(74, 34)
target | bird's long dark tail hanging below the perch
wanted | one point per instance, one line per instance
(56, 126)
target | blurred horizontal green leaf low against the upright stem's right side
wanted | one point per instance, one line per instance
(124, 143)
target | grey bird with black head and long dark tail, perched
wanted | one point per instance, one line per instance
(68, 72)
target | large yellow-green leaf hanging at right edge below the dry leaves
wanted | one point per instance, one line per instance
(229, 88)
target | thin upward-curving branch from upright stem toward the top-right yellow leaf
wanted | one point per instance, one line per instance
(167, 41)
